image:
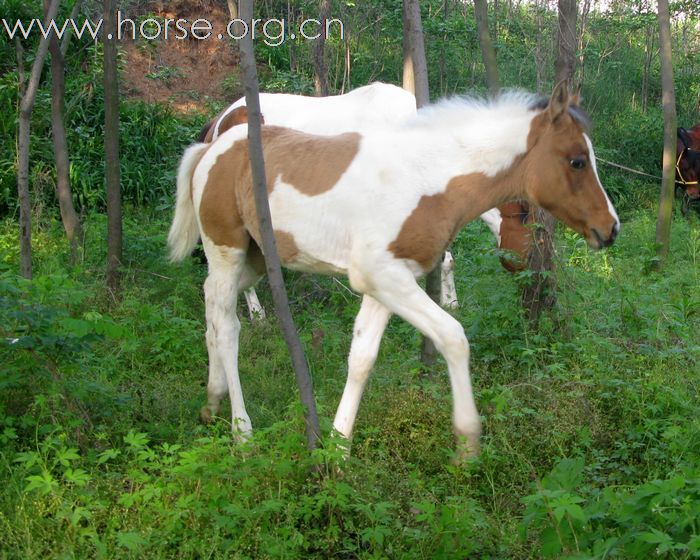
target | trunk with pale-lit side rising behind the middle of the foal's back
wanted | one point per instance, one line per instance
(416, 77)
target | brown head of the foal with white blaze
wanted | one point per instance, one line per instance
(561, 175)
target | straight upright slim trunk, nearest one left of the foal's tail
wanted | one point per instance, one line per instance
(111, 142)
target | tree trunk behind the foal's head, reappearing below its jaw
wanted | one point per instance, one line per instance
(540, 293)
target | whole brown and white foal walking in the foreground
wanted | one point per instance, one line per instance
(381, 207)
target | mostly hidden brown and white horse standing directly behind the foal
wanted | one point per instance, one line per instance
(370, 107)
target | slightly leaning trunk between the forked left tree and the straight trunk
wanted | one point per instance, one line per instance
(69, 217)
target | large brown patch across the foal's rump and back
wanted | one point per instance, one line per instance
(311, 164)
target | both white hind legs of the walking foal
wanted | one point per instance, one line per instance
(226, 265)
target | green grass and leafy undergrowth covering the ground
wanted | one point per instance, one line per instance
(590, 445)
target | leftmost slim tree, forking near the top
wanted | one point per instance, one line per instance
(25, 114)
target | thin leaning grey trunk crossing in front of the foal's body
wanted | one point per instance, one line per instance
(272, 262)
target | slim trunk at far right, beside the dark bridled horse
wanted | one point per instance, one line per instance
(663, 222)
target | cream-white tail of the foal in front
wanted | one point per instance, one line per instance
(184, 231)
